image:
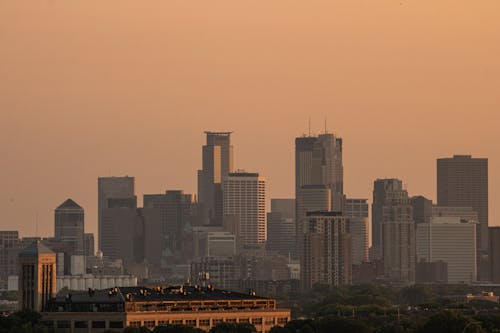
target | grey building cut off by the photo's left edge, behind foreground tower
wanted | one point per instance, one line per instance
(9, 250)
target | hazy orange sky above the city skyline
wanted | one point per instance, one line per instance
(95, 88)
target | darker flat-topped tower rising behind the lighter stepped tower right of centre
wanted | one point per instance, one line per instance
(383, 191)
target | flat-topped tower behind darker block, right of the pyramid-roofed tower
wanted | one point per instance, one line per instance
(111, 188)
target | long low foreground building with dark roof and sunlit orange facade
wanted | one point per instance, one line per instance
(201, 307)
